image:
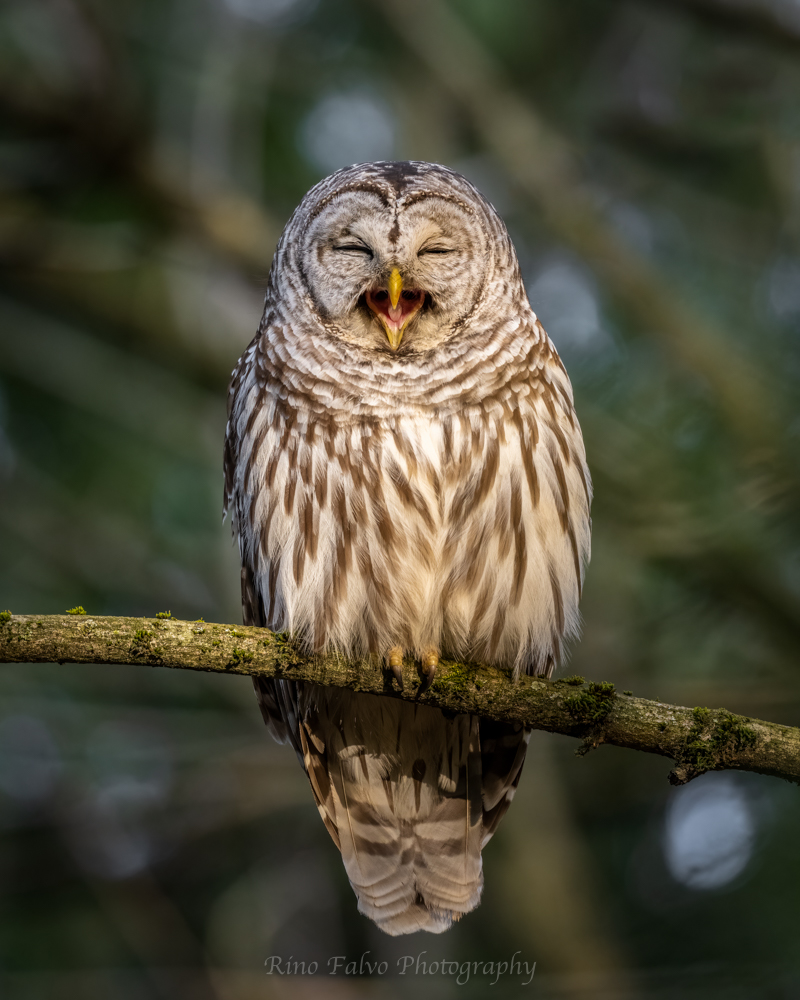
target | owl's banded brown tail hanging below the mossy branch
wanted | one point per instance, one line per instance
(408, 796)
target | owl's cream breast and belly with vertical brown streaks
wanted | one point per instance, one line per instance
(467, 533)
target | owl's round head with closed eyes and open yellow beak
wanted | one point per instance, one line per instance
(396, 257)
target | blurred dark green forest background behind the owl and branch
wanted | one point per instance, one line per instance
(646, 157)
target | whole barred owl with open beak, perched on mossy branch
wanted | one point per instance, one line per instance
(406, 477)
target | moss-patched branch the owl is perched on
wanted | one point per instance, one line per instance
(697, 739)
